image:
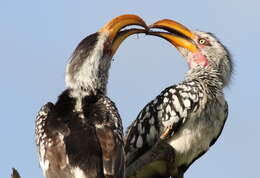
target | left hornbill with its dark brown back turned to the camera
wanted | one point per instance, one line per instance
(80, 136)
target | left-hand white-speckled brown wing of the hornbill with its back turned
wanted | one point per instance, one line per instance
(50, 144)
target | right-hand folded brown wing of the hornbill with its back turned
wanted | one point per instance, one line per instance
(110, 135)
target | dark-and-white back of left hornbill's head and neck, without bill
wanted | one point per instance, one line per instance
(88, 71)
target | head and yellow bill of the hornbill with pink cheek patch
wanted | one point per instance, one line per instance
(201, 50)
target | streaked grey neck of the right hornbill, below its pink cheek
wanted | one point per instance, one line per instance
(209, 78)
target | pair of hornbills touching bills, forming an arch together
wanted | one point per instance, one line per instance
(81, 135)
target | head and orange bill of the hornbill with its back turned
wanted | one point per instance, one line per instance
(90, 62)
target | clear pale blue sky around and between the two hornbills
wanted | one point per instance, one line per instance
(37, 38)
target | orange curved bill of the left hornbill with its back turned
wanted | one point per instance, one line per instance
(114, 26)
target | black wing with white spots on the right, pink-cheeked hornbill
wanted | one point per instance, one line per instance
(163, 117)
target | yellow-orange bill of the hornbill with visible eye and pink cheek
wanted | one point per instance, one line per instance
(178, 35)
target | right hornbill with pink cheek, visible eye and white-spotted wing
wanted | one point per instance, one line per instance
(188, 116)
